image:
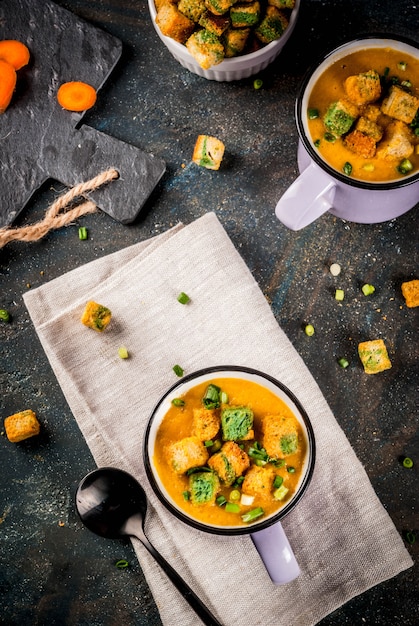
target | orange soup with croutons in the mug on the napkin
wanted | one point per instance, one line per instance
(231, 461)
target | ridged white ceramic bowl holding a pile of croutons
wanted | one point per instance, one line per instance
(236, 68)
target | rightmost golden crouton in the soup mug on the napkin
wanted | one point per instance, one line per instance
(280, 435)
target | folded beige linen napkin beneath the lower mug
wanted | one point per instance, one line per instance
(343, 538)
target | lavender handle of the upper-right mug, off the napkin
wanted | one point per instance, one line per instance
(309, 196)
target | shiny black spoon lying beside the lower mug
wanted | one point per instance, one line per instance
(111, 503)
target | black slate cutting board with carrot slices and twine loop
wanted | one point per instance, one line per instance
(41, 141)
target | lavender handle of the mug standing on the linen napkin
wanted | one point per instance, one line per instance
(276, 553)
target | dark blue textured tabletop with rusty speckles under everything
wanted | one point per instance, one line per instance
(64, 575)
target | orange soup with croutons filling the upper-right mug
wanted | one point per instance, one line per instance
(381, 143)
